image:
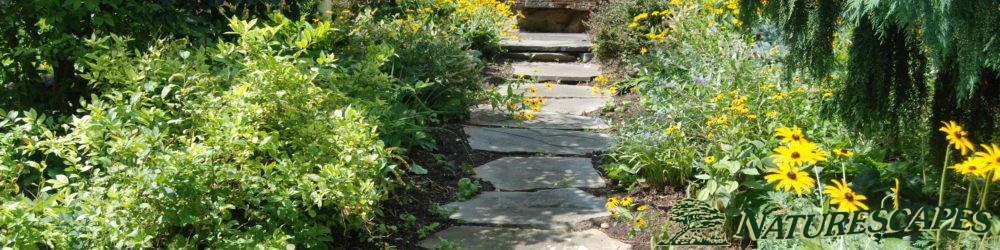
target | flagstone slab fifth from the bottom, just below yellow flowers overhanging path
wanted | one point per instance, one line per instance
(544, 120)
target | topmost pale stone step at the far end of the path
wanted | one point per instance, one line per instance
(548, 42)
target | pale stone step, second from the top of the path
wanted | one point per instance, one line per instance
(550, 71)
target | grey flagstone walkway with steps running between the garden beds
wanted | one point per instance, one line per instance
(539, 198)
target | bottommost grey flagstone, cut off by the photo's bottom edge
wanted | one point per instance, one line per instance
(498, 238)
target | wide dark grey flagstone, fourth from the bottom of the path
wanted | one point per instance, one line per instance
(549, 141)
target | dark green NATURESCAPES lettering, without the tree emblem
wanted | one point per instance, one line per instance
(781, 227)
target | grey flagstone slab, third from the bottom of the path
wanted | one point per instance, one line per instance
(527, 173)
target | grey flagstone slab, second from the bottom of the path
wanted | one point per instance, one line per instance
(550, 208)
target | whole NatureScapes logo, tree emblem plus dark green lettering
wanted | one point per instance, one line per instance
(701, 225)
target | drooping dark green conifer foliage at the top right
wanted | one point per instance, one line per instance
(906, 59)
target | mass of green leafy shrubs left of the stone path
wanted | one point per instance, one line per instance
(275, 129)
